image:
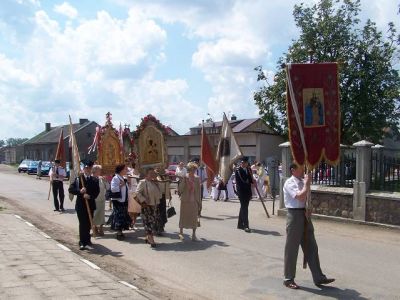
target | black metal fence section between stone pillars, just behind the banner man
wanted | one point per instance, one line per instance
(341, 175)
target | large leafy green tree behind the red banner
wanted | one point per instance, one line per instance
(369, 84)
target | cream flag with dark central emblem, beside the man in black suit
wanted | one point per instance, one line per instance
(228, 151)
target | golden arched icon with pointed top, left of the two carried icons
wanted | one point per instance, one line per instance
(109, 152)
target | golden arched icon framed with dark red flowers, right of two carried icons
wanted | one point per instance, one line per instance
(150, 145)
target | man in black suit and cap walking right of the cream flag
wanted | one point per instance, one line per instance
(244, 181)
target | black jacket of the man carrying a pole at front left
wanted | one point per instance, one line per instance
(92, 189)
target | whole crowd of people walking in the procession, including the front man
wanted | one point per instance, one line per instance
(132, 196)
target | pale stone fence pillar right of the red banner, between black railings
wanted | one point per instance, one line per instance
(363, 178)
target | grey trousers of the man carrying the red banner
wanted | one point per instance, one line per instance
(295, 237)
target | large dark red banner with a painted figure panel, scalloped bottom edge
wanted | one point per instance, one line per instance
(313, 111)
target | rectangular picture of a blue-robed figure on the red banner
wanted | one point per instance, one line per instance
(314, 108)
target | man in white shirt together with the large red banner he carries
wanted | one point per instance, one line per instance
(313, 111)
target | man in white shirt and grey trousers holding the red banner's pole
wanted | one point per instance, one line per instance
(295, 192)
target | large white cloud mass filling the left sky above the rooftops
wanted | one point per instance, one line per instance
(98, 65)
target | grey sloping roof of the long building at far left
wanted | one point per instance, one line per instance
(52, 136)
